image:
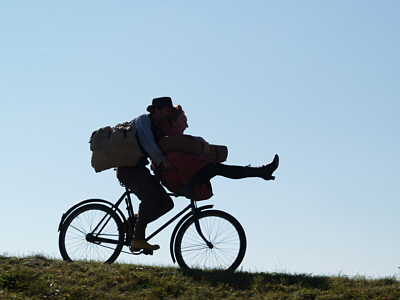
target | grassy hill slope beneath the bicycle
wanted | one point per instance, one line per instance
(37, 277)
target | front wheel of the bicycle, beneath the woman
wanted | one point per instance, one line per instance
(225, 234)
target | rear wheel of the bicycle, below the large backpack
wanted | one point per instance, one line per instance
(93, 232)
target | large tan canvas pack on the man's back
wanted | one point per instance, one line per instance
(115, 147)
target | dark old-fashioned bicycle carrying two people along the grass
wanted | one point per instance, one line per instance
(204, 238)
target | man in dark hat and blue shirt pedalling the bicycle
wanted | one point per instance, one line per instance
(154, 200)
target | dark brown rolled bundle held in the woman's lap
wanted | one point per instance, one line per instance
(188, 144)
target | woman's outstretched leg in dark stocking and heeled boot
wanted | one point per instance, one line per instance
(233, 172)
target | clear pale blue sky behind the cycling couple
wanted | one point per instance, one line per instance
(317, 82)
